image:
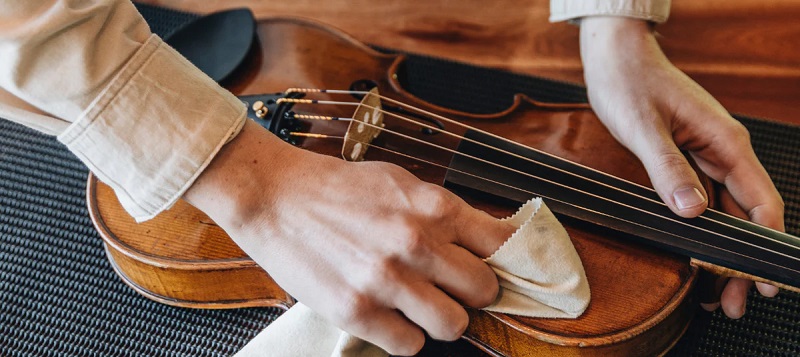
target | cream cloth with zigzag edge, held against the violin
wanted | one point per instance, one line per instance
(539, 271)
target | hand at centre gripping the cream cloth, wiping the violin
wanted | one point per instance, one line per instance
(368, 246)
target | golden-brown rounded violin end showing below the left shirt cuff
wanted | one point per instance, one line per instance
(191, 265)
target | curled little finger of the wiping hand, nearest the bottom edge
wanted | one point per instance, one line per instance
(389, 330)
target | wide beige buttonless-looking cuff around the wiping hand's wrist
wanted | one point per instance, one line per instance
(153, 130)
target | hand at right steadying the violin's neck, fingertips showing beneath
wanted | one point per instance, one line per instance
(656, 111)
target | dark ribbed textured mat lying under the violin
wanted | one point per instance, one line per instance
(59, 297)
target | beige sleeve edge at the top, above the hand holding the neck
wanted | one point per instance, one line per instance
(652, 10)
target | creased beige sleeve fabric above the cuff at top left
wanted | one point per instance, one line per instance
(59, 55)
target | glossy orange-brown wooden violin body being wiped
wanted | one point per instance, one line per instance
(641, 296)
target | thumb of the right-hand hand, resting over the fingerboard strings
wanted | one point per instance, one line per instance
(673, 178)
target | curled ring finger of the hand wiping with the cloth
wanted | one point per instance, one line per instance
(432, 310)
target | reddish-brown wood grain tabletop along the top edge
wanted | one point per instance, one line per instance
(744, 52)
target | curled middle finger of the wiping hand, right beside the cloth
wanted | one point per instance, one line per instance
(464, 276)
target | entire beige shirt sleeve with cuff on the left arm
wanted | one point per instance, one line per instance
(138, 114)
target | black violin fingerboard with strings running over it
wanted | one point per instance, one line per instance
(519, 173)
